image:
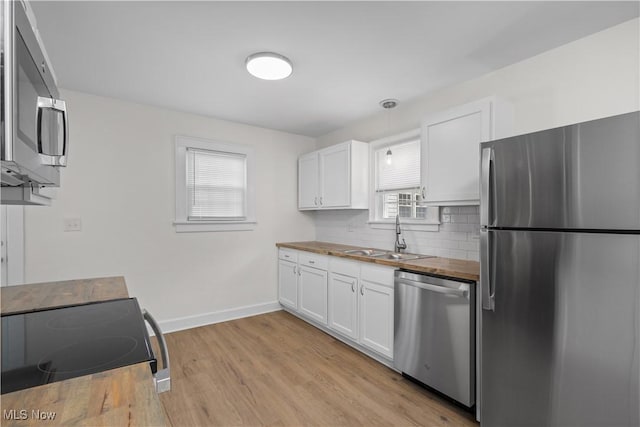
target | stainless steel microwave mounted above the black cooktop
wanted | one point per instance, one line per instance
(35, 126)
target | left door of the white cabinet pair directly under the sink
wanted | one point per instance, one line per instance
(343, 304)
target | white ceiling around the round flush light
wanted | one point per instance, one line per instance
(347, 56)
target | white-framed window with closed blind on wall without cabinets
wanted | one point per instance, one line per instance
(214, 186)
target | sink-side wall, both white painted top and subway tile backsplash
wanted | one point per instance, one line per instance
(593, 77)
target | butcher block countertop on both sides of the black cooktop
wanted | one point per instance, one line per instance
(119, 397)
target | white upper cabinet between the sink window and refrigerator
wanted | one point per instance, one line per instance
(451, 151)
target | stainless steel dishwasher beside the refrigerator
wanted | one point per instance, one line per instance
(434, 339)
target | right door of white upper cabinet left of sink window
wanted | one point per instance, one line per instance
(335, 176)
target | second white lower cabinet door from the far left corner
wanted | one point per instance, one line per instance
(312, 284)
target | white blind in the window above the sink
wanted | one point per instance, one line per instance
(404, 170)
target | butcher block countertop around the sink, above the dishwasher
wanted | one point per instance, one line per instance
(454, 268)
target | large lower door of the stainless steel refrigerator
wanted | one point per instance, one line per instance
(560, 344)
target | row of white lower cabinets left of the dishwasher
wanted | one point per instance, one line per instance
(353, 299)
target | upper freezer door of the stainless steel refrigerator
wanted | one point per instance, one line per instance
(584, 176)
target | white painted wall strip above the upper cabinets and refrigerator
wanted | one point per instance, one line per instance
(593, 77)
